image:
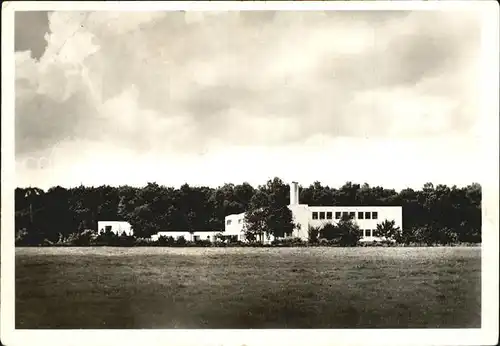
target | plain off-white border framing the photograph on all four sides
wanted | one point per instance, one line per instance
(487, 335)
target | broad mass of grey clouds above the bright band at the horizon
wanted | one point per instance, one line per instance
(184, 82)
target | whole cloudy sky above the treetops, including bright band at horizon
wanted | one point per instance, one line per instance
(206, 98)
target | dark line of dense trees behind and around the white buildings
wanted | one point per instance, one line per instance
(429, 214)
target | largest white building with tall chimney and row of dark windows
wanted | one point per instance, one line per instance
(366, 217)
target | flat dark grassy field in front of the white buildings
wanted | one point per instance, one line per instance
(248, 287)
